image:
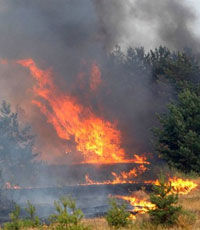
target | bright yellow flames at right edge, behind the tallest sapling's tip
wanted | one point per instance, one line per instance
(180, 186)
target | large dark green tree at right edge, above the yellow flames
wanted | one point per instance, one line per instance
(178, 138)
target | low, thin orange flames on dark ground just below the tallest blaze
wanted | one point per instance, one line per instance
(121, 178)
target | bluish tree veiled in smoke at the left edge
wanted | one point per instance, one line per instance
(16, 146)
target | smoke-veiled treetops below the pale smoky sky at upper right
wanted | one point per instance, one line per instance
(161, 63)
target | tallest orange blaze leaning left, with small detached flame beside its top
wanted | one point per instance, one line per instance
(98, 140)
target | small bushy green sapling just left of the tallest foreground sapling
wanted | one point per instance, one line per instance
(117, 216)
